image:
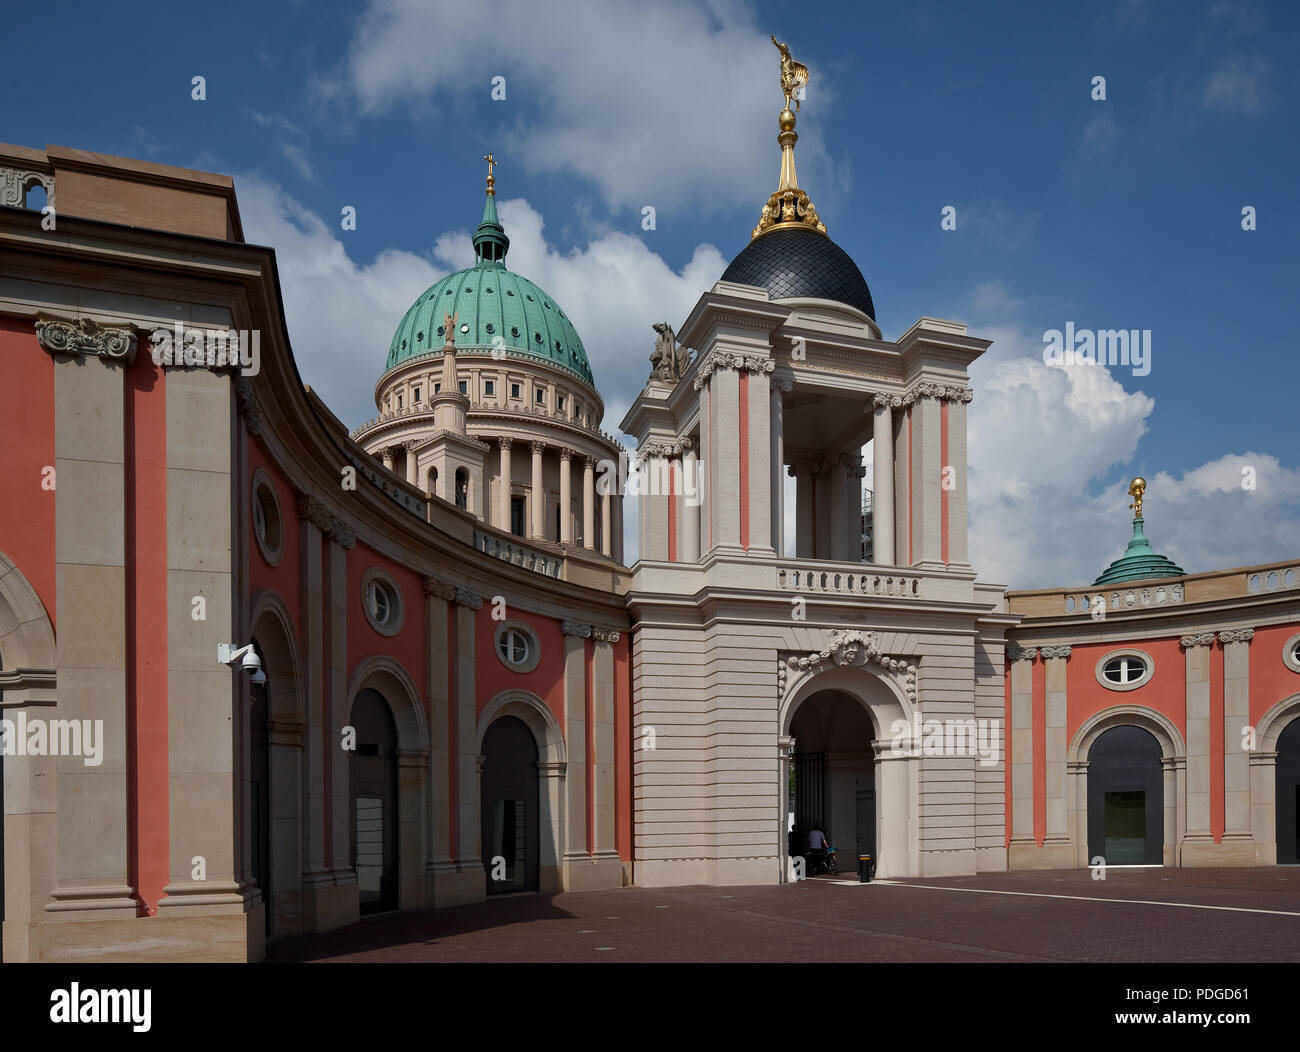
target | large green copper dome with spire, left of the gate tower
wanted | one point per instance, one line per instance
(495, 309)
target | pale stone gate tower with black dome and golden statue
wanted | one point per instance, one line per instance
(805, 690)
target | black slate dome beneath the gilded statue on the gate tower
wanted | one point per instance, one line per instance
(801, 263)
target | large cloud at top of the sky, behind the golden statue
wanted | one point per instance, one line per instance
(662, 105)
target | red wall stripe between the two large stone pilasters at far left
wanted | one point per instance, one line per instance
(145, 426)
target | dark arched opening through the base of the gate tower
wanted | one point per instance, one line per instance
(833, 780)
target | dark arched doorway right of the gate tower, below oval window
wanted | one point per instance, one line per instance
(1126, 807)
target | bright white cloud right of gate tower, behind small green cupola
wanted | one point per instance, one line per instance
(1052, 449)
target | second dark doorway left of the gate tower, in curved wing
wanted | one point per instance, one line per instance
(375, 803)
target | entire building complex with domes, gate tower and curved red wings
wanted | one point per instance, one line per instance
(263, 676)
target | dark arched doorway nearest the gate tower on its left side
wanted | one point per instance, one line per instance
(510, 811)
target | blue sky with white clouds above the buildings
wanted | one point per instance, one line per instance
(1117, 214)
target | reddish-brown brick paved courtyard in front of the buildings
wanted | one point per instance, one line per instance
(1156, 915)
